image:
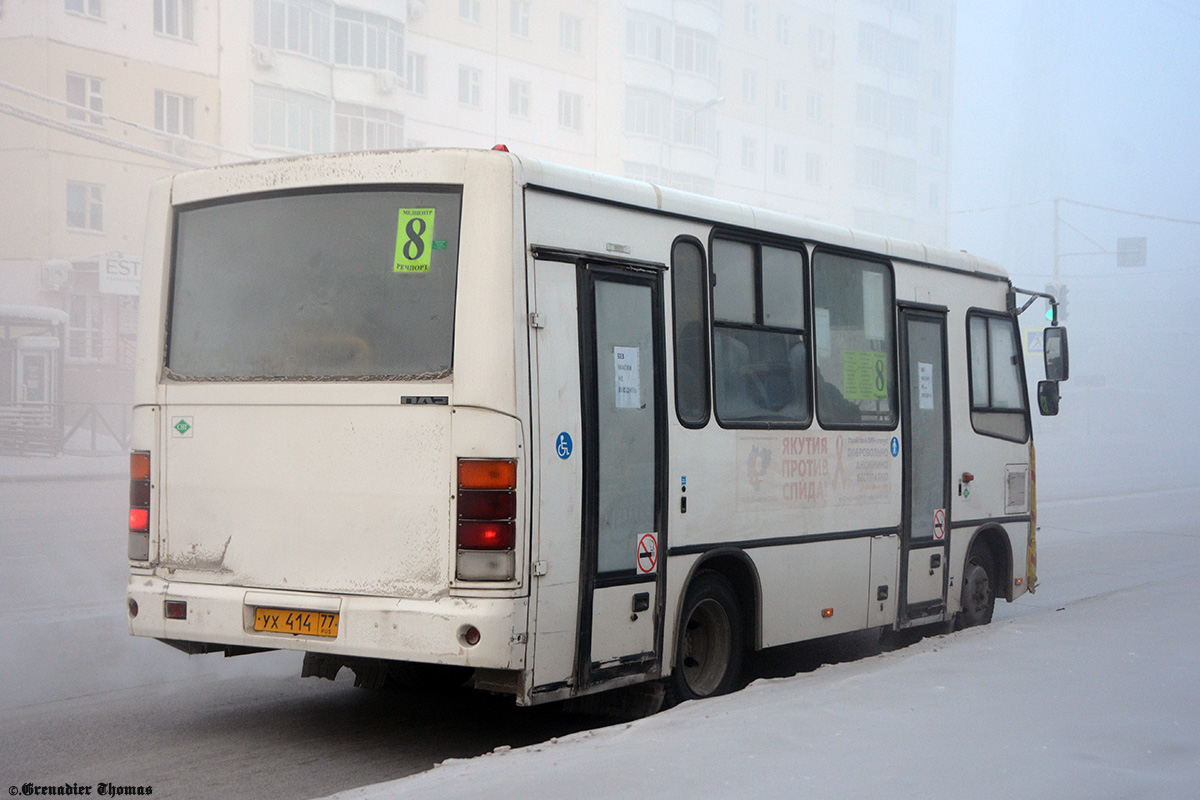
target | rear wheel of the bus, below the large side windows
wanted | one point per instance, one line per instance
(709, 646)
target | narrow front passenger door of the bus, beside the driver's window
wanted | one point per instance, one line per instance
(926, 538)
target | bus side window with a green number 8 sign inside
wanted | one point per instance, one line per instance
(856, 362)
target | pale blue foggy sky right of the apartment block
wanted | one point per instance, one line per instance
(1094, 104)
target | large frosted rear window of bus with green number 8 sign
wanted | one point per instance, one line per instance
(346, 285)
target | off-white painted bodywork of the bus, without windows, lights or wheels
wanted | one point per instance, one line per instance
(351, 510)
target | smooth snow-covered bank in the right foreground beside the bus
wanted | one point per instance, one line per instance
(1087, 690)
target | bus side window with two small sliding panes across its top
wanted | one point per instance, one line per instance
(760, 345)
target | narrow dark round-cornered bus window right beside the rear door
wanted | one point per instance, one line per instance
(691, 302)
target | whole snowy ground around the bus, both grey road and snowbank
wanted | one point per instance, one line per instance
(1097, 700)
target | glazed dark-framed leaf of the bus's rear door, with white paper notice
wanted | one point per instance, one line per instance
(621, 326)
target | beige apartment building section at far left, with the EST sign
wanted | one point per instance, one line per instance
(98, 100)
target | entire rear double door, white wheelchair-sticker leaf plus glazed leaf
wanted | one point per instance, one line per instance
(601, 458)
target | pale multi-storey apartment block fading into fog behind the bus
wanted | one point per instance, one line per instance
(839, 111)
